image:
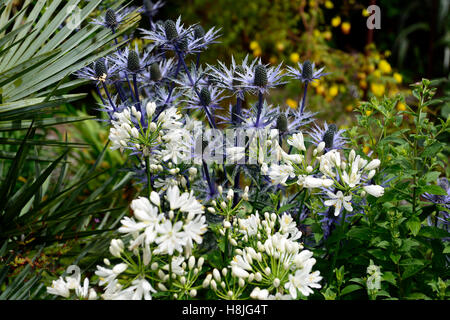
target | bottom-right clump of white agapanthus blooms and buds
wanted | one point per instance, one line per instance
(271, 262)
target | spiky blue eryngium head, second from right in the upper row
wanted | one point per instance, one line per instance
(259, 78)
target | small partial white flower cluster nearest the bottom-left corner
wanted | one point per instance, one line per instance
(64, 285)
